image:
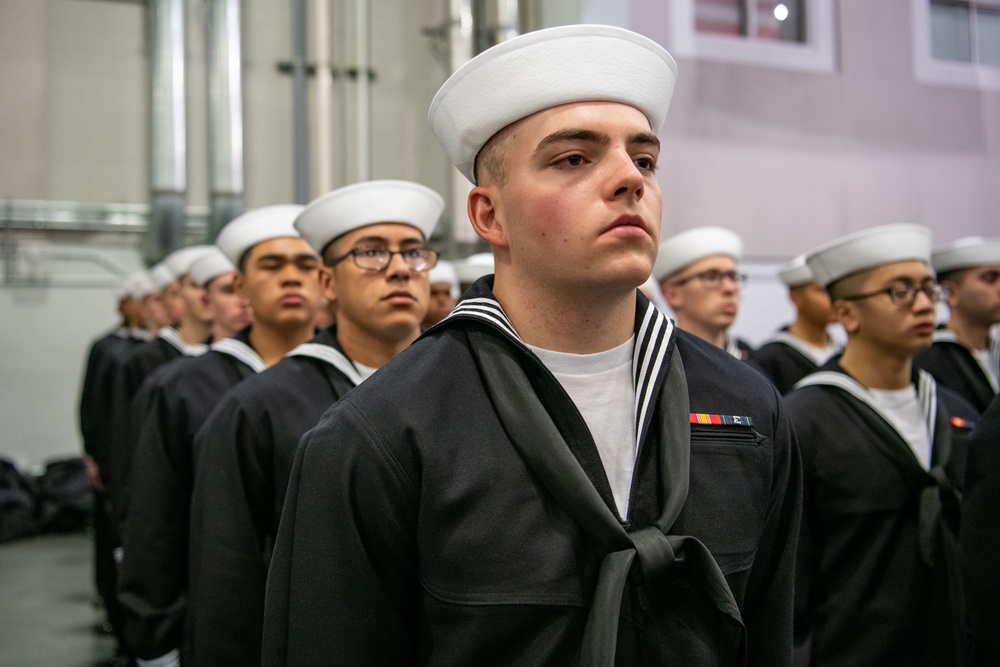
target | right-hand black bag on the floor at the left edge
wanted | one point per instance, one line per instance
(65, 496)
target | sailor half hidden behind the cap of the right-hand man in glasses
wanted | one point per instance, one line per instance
(804, 345)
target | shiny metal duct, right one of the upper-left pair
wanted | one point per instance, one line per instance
(225, 114)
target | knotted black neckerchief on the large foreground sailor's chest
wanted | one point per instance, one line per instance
(644, 554)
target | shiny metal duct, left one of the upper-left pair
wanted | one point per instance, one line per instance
(168, 178)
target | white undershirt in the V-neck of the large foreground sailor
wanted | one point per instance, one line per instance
(602, 389)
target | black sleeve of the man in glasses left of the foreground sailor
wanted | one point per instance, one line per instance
(230, 531)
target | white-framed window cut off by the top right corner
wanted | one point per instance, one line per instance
(957, 42)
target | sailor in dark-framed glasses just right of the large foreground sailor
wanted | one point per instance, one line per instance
(883, 456)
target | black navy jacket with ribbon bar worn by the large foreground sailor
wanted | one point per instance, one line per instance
(425, 522)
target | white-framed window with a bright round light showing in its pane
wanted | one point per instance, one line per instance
(791, 34)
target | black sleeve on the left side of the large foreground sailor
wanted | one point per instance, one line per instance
(342, 587)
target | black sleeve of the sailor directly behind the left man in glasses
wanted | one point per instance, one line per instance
(153, 577)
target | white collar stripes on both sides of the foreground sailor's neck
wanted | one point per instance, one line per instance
(651, 344)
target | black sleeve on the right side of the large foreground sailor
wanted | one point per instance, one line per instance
(768, 610)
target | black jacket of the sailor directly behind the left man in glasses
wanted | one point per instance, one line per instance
(176, 400)
